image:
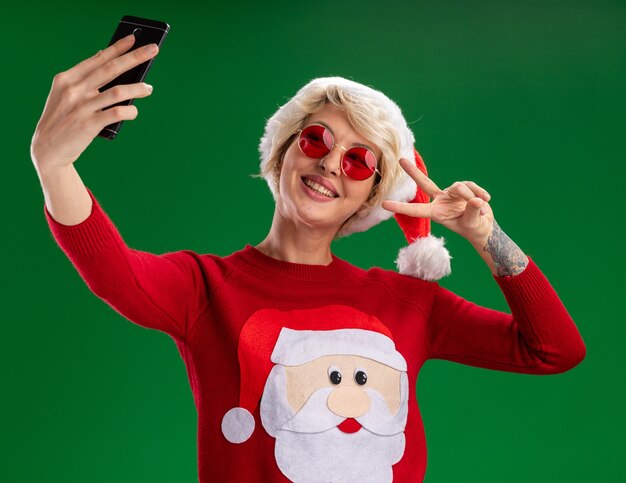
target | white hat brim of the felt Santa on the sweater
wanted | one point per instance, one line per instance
(297, 347)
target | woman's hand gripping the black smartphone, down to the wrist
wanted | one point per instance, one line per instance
(78, 109)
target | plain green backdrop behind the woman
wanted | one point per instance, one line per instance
(527, 99)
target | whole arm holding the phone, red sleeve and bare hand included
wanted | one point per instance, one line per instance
(165, 292)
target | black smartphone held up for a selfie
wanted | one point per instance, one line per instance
(146, 32)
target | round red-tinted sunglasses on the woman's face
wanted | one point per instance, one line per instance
(316, 141)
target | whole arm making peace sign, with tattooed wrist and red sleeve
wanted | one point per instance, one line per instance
(538, 337)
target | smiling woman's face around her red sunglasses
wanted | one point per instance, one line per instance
(297, 199)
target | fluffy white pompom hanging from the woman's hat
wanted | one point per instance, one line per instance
(425, 258)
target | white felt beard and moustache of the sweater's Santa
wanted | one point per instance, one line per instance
(311, 449)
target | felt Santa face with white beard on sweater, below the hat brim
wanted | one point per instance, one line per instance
(336, 418)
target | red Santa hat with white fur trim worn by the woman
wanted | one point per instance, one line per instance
(425, 257)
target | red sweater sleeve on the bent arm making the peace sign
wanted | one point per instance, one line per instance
(538, 337)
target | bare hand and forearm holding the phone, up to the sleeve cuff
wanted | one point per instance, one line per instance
(74, 113)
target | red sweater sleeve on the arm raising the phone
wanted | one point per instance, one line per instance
(163, 292)
